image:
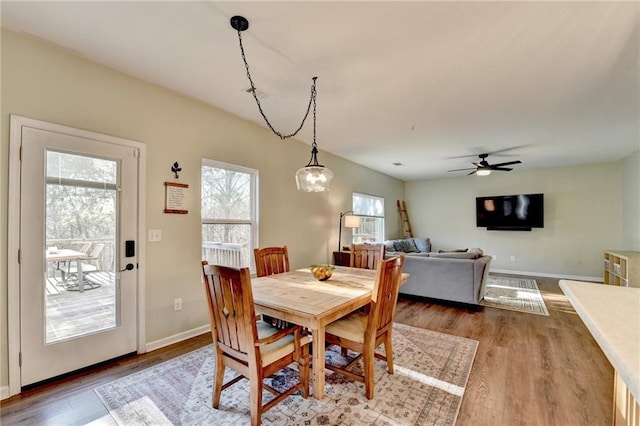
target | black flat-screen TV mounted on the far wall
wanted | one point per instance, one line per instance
(519, 212)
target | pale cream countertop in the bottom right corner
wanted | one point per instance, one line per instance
(612, 315)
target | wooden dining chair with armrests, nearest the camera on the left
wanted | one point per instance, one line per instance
(254, 349)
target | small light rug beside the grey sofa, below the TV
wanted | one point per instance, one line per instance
(514, 294)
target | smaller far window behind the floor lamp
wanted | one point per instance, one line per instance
(371, 211)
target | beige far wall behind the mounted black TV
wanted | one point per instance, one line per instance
(583, 217)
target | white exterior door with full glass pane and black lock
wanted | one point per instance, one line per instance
(78, 229)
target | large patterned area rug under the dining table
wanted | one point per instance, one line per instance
(431, 372)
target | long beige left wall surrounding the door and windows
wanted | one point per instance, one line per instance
(46, 83)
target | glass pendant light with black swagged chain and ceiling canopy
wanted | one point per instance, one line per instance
(313, 177)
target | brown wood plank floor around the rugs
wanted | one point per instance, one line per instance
(529, 369)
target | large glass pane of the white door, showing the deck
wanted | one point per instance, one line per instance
(81, 209)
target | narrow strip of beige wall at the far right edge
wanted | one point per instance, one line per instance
(631, 202)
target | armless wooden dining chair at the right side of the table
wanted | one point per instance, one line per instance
(363, 332)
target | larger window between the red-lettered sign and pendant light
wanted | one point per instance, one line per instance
(229, 203)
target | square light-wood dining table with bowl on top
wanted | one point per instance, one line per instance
(299, 298)
